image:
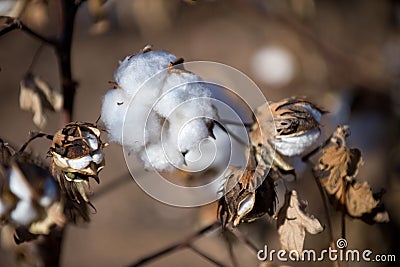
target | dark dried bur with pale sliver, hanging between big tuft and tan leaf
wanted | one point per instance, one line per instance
(250, 196)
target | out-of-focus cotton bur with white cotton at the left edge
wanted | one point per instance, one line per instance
(30, 198)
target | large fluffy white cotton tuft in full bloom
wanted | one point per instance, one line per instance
(168, 110)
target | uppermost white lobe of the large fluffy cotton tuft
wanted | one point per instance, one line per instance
(133, 71)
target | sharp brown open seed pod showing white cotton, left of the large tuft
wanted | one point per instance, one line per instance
(77, 156)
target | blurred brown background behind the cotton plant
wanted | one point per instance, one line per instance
(342, 55)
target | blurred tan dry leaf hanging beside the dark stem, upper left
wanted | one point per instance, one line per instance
(37, 96)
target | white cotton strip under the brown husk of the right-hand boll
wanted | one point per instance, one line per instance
(295, 145)
